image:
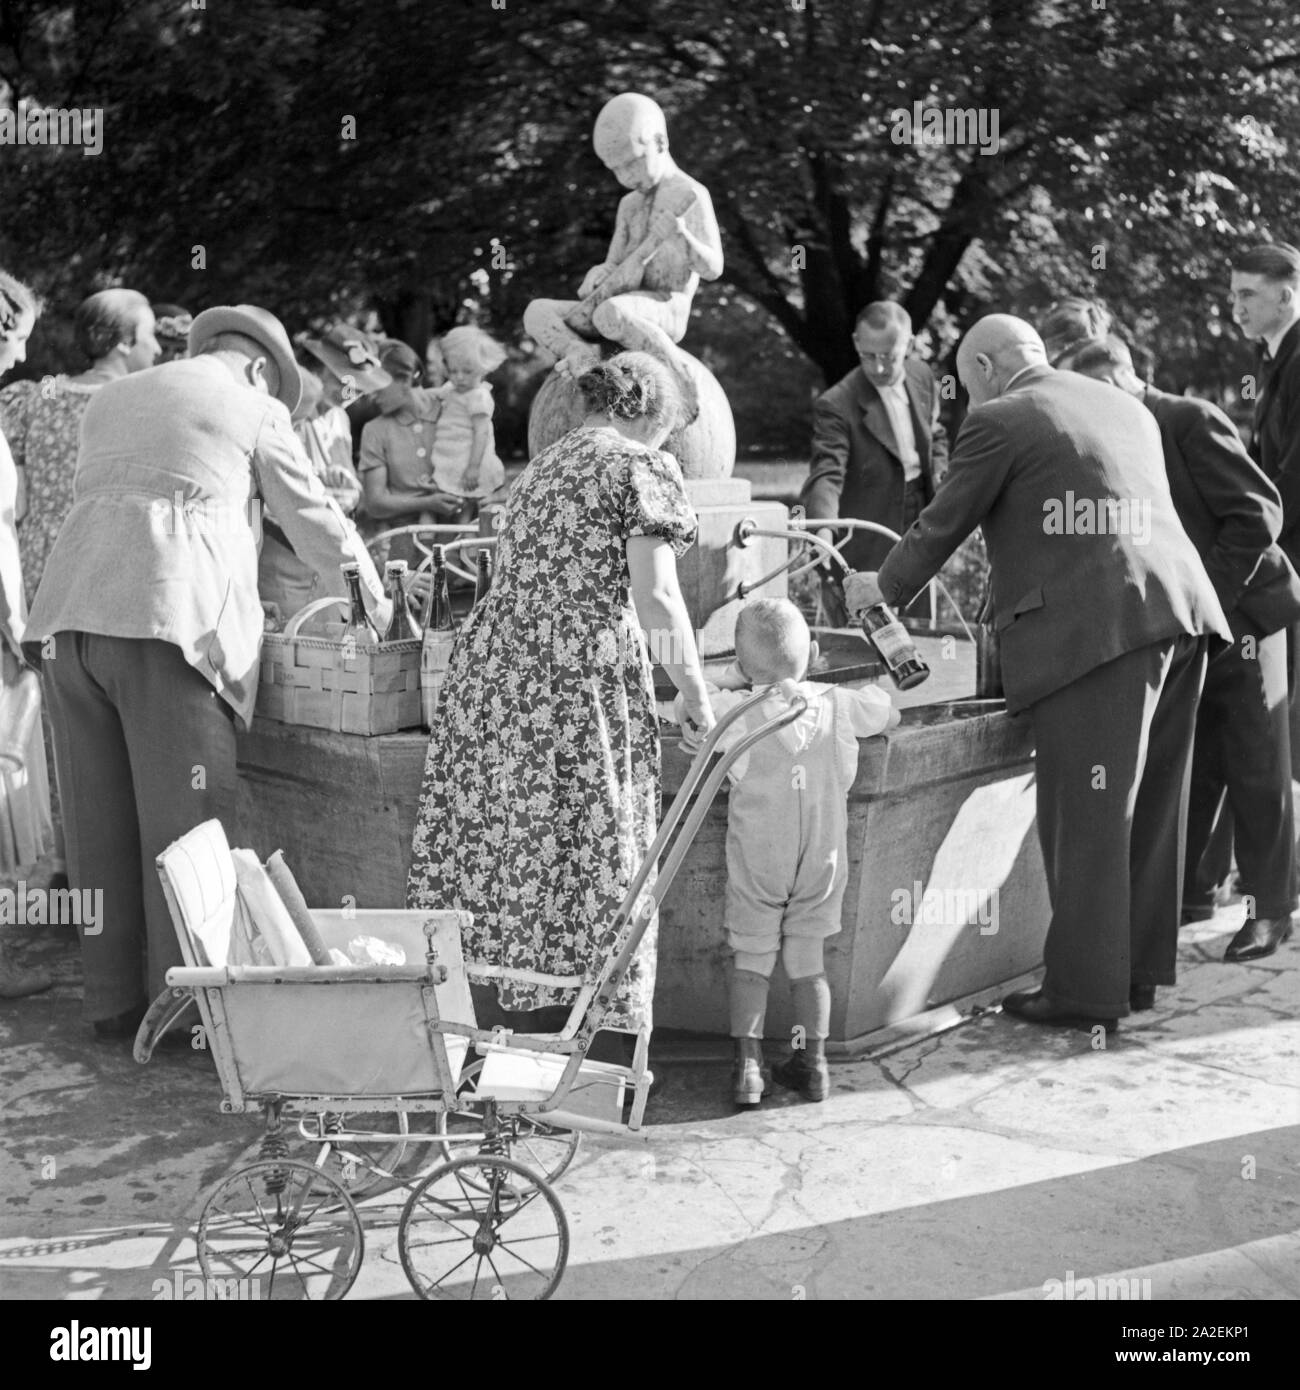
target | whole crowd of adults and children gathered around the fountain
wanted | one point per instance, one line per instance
(1156, 661)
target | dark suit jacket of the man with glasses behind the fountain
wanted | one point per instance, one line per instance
(856, 466)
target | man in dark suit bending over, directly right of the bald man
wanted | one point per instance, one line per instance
(1233, 515)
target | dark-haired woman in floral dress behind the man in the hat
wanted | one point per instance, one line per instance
(42, 419)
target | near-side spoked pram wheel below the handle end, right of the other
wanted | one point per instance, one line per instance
(483, 1227)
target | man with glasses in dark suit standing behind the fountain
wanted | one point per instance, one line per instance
(878, 447)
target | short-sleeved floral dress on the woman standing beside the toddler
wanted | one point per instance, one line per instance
(542, 786)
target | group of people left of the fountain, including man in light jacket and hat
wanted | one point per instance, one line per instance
(364, 416)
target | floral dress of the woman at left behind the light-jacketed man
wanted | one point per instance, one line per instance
(44, 430)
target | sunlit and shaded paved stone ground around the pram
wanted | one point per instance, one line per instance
(981, 1163)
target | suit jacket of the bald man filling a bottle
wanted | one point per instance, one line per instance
(1077, 580)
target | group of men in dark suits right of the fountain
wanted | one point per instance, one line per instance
(1152, 644)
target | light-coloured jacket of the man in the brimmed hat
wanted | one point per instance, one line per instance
(162, 540)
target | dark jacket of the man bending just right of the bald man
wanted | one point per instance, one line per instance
(1230, 511)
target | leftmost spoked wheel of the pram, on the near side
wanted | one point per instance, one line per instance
(284, 1227)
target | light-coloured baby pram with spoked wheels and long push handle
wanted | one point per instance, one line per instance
(350, 1056)
